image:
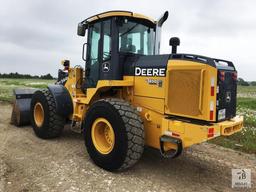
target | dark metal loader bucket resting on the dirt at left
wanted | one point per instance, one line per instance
(21, 106)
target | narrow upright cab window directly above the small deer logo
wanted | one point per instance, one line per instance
(106, 40)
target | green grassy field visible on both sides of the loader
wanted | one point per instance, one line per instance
(246, 106)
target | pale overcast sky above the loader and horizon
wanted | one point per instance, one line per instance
(35, 35)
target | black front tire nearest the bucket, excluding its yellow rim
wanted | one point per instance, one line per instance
(53, 124)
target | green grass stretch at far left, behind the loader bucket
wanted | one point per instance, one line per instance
(7, 86)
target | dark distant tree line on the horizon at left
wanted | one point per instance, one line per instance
(25, 76)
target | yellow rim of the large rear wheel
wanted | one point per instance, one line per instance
(103, 136)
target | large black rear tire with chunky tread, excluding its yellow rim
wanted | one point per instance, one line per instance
(128, 129)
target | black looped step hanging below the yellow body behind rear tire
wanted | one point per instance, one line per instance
(170, 153)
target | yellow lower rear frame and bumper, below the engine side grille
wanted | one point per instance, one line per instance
(157, 124)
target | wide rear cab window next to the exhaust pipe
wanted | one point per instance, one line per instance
(136, 38)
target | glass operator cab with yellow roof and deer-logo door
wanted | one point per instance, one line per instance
(111, 38)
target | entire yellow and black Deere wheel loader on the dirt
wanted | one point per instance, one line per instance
(128, 96)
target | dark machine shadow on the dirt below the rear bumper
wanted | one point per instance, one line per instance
(185, 167)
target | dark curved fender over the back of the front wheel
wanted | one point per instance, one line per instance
(63, 100)
